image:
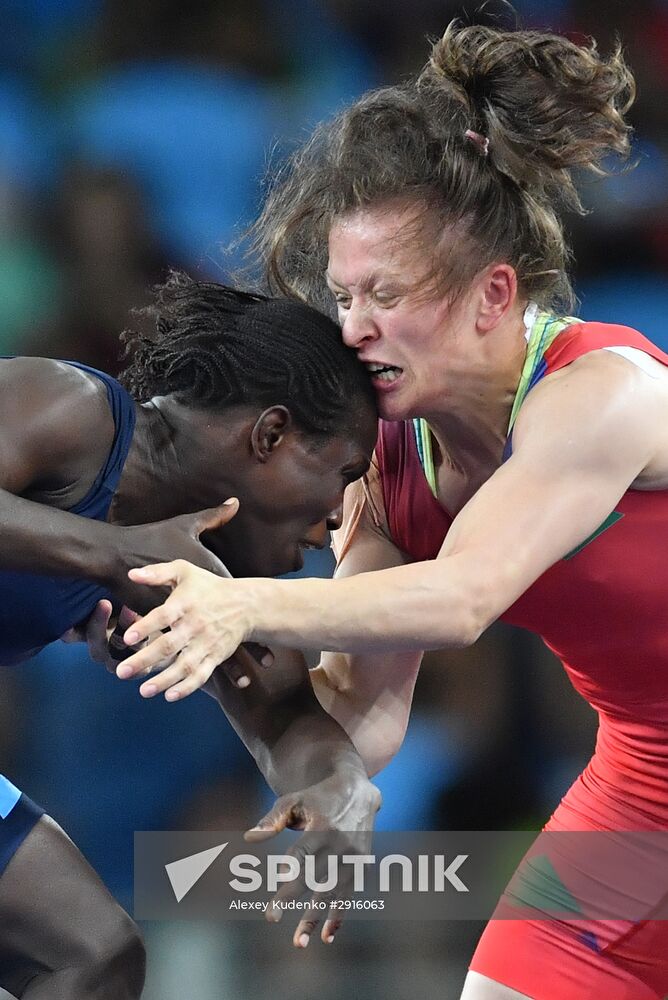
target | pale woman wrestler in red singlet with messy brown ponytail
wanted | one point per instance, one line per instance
(534, 486)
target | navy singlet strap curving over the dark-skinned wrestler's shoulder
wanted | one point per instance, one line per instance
(97, 500)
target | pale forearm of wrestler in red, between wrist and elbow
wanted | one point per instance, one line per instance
(426, 605)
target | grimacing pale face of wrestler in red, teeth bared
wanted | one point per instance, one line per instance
(414, 344)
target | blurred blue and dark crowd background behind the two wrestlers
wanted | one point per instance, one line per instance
(135, 137)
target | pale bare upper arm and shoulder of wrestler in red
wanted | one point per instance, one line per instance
(581, 443)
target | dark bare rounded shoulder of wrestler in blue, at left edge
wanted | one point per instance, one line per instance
(55, 421)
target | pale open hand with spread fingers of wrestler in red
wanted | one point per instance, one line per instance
(201, 614)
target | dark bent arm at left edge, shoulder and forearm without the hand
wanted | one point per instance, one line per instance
(55, 430)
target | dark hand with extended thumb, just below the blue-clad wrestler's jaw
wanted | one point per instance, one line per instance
(178, 538)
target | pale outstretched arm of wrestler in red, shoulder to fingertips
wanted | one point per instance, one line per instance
(584, 436)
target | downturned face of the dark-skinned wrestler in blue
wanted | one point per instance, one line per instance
(294, 502)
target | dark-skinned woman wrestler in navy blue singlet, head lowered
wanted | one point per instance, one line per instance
(238, 396)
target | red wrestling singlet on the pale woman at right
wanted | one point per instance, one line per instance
(604, 611)
